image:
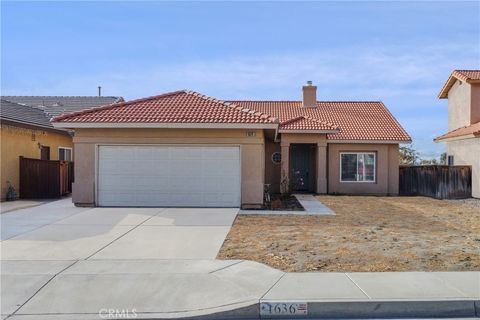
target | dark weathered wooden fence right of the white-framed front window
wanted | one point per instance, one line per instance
(440, 182)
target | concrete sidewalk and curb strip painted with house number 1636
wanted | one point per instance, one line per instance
(156, 289)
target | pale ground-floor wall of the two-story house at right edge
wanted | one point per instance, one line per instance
(467, 152)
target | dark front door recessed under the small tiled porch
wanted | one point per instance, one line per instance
(302, 174)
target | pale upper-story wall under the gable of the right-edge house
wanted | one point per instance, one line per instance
(459, 99)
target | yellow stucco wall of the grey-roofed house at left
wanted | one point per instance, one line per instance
(18, 141)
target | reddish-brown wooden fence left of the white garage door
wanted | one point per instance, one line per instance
(42, 179)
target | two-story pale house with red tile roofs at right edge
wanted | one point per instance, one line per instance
(462, 90)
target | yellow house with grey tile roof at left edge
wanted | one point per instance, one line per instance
(26, 130)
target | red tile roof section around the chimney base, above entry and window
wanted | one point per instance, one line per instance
(355, 120)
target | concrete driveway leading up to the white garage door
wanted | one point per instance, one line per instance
(60, 231)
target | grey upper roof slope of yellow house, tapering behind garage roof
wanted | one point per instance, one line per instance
(57, 105)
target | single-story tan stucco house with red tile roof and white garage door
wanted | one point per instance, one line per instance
(186, 149)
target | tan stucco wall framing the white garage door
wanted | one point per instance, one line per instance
(252, 153)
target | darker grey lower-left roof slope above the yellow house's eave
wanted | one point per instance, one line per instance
(24, 114)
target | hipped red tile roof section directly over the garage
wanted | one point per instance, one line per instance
(175, 107)
